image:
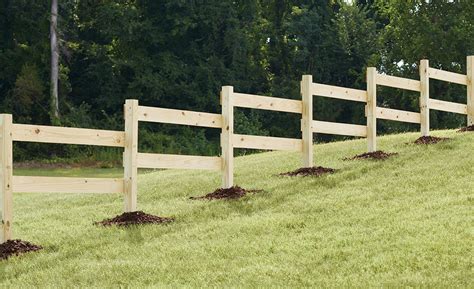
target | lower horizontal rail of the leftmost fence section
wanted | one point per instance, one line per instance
(26, 184)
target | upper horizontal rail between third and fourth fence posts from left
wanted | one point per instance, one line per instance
(267, 103)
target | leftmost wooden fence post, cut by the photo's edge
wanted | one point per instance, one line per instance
(6, 177)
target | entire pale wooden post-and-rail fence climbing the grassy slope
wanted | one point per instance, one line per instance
(133, 113)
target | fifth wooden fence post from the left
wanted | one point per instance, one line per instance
(371, 109)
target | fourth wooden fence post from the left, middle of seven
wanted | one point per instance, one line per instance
(307, 119)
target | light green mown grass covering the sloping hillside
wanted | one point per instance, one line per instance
(404, 222)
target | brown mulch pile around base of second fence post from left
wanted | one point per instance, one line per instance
(134, 218)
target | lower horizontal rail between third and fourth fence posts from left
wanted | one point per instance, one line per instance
(267, 143)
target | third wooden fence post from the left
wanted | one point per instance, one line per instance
(227, 133)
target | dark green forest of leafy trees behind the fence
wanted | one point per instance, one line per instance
(178, 54)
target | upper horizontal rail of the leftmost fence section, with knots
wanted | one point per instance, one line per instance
(67, 135)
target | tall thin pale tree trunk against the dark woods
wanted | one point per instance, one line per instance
(54, 62)
